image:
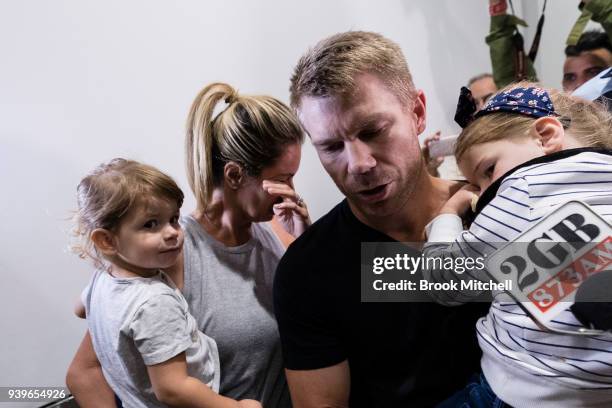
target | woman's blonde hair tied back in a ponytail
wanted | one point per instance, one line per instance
(251, 131)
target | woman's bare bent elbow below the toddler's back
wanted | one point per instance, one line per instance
(85, 379)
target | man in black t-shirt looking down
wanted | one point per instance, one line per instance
(354, 95)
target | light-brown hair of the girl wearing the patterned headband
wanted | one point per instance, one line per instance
(589, 122)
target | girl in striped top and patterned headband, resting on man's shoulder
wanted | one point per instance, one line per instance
(526, 152)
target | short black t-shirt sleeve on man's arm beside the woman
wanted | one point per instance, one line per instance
(309, 337)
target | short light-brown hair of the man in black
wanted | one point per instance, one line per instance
(330, 67)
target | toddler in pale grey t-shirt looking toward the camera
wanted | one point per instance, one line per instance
(149, 346)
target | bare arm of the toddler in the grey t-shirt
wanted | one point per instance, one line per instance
(174, 387)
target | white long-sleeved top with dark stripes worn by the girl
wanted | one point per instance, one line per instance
(511, 342)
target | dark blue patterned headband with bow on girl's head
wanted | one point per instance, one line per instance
(529, 101)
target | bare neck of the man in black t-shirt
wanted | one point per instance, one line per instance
(408, 223)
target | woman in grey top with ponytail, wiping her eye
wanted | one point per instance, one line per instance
(241, 154)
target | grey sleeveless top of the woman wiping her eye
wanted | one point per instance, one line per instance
(229, 292)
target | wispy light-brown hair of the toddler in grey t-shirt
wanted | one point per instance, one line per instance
(108, 193)
